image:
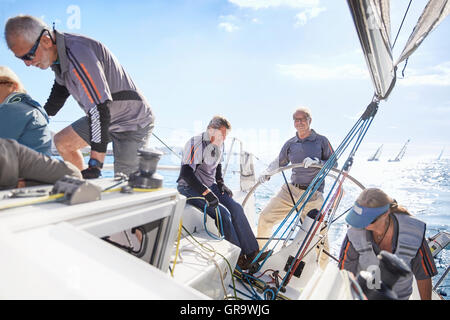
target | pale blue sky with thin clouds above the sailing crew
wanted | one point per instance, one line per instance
(254, 61)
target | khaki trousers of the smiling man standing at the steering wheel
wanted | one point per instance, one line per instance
(278, 208)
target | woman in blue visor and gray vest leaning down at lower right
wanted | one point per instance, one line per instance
(378, 223)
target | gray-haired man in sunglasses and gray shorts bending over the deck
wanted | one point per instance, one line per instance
(84, 68)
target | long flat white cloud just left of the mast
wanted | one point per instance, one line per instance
(315, 72)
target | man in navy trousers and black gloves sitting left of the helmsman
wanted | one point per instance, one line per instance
(201, 176)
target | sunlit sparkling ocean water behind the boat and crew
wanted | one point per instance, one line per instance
(422, 186)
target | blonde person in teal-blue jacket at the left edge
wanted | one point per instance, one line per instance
(22, 118)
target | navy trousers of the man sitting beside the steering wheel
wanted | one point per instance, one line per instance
(236, 228)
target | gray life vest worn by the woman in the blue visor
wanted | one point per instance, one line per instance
(410, 236)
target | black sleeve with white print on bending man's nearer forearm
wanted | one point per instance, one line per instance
(99, 120)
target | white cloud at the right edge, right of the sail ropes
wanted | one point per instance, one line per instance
(433, 76)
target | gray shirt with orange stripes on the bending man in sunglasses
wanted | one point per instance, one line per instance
(93, 75)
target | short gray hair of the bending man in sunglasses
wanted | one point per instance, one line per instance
(25, 26)
